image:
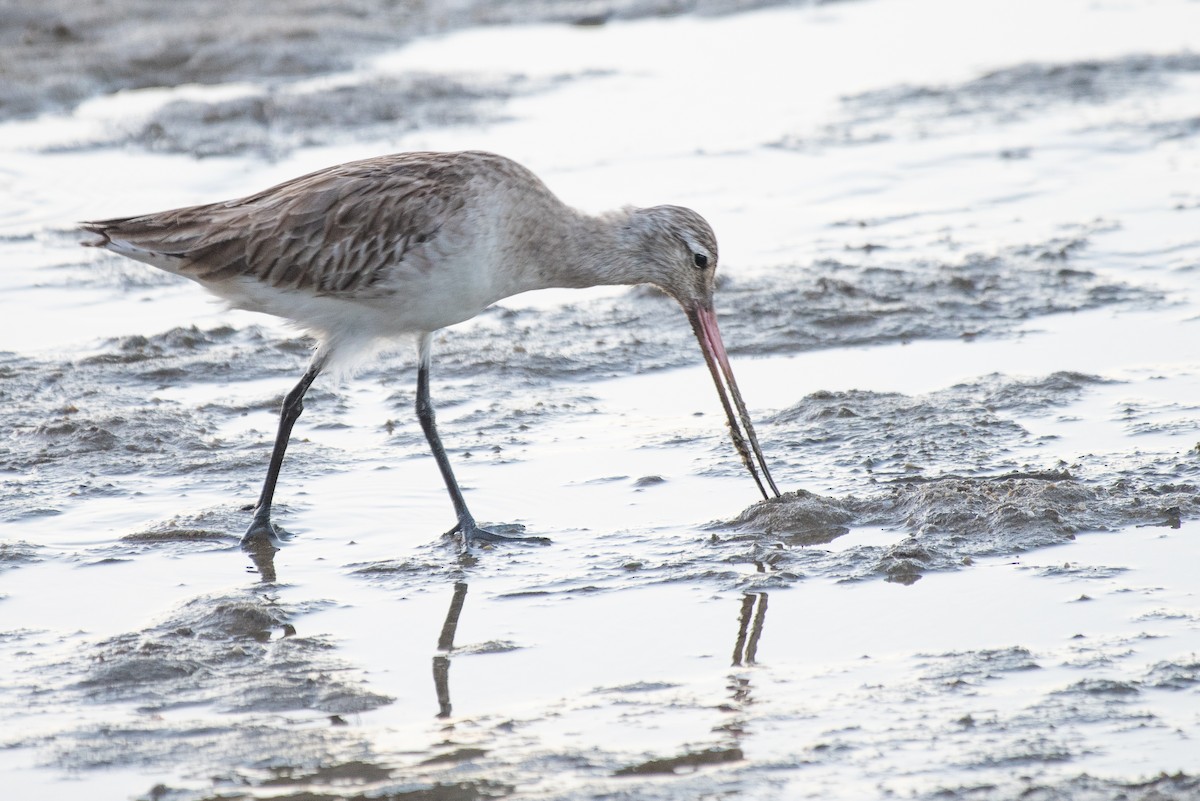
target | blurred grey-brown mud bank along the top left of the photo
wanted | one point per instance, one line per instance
(63, 52)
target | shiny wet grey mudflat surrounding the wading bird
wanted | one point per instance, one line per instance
(959, 293)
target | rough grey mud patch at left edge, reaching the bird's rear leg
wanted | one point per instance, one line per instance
(105, 418)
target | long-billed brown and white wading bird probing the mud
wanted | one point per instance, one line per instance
(409, 244)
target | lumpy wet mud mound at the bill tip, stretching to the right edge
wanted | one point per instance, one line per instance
(951, 521)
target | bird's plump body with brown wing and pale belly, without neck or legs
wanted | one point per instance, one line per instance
(412, 242)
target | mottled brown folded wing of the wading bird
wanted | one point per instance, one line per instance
(333, 232)
